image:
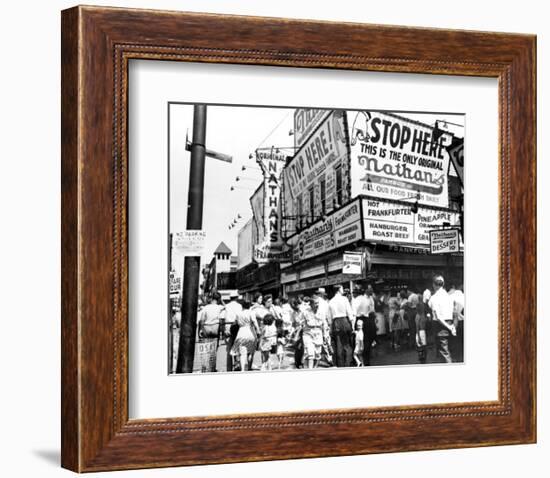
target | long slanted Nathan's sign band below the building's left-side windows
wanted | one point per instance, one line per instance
(339, 229)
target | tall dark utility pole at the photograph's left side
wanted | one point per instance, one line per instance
(191, 270)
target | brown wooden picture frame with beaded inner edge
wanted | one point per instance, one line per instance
(97, 44)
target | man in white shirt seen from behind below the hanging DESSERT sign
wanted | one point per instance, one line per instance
(442, 306)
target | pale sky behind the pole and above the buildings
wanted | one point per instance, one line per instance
(237, 131)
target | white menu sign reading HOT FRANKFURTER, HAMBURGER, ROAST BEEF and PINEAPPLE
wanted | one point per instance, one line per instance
(393, 223)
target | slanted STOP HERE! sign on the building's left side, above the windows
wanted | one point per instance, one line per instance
(325, 146)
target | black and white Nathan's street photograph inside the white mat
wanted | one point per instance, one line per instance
(308, 238)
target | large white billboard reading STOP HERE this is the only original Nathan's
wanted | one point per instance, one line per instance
(396, 158)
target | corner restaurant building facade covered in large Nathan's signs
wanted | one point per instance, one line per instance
(365, 182)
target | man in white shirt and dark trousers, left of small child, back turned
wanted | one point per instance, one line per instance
(340, 316)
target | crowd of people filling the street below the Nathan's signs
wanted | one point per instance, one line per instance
(340, 332)
